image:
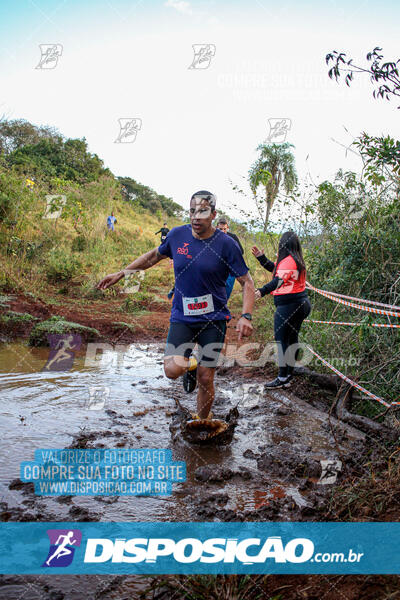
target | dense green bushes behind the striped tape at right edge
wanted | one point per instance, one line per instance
(357, 253)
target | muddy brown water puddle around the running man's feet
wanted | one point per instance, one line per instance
(271, 470)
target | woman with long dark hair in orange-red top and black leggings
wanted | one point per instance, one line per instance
(288, 286)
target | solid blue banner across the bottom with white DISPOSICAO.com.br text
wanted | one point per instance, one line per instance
(196, 548)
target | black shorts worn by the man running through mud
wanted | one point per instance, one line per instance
(209, 335)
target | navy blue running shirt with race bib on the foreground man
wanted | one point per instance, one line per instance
(201, 270)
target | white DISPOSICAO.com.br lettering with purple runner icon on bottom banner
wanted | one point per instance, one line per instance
(185, 551)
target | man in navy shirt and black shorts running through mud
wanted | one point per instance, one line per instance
(203, 258)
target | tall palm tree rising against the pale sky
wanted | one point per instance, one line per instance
(274, 166)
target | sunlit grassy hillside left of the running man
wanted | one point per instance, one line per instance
(73, 251)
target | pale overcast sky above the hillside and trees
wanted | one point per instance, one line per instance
(199, 126)
